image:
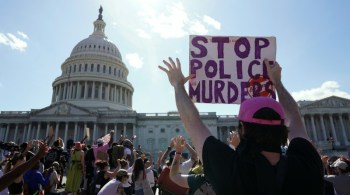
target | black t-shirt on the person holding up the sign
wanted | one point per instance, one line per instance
(234, 172)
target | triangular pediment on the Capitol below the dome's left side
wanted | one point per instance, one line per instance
(62, 109)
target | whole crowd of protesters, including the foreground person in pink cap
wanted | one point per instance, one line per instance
(270, 153)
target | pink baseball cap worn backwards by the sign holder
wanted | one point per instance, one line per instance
(250, 106)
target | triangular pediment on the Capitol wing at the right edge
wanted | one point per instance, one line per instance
(329, 102)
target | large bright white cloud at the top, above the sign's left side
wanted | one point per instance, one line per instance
(175, 22)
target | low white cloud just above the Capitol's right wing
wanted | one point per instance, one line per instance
(328, 88)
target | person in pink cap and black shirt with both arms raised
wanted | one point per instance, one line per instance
(257, 166)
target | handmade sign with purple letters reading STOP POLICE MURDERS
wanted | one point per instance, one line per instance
(230, 69)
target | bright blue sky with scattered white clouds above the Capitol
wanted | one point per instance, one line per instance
(37, 36)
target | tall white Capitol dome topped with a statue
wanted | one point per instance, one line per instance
(94, 76)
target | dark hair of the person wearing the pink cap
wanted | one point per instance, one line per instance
(267, 135)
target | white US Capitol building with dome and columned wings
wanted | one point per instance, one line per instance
(93, 92)
